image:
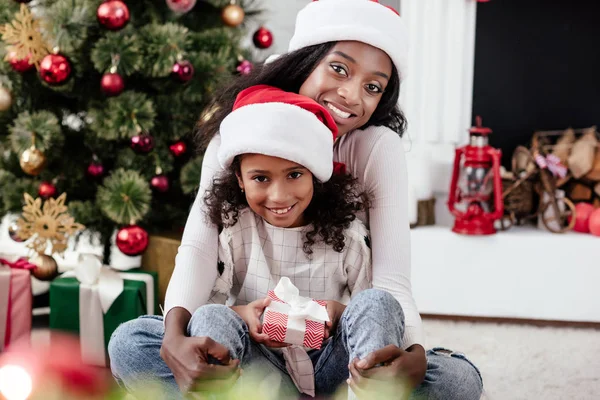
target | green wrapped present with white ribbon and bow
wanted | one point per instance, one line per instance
(93, 300)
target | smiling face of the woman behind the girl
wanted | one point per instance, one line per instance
(349, 82)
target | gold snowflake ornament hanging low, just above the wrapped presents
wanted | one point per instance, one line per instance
(50, 224)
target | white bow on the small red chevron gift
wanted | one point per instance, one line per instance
(300, 308)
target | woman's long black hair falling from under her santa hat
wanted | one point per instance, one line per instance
(289, 72)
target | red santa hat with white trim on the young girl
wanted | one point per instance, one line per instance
(267, 120)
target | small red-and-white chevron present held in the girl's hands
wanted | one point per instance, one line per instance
(291, 318)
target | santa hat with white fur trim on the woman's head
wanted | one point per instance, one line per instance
(366, 21)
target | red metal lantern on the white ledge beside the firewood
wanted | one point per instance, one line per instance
(475, 197)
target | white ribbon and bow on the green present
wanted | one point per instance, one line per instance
(99, 287)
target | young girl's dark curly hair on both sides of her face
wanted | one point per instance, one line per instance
(331, 211)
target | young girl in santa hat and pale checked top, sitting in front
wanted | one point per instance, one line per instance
(284, 215)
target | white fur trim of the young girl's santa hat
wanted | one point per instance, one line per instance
(279, 130)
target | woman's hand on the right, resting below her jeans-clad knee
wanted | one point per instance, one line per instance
(400, 371)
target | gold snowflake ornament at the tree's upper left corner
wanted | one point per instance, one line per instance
(24, 36)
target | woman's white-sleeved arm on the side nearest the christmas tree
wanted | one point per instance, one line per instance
(196, 262)
